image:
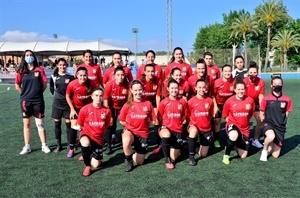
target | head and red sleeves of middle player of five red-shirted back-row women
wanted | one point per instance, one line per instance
(150, 57)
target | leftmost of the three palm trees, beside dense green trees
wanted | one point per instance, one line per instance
(243, 25)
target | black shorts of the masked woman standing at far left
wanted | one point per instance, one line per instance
(35, 109)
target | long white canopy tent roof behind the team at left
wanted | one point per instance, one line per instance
(70, 48)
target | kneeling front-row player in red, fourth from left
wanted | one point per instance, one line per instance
(200, 112)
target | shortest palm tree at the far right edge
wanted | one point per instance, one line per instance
(284, 40)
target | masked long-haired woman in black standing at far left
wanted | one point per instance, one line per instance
(31, 82)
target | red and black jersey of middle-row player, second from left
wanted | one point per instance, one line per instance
(116, 94)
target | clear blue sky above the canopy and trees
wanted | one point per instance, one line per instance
(113, 20)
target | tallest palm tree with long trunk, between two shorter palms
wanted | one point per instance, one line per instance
(269, 13)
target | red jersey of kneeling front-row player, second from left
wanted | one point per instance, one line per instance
(137, 117)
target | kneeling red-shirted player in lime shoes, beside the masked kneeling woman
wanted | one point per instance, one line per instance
(237, 112)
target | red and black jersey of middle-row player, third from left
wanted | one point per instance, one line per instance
(152, 89)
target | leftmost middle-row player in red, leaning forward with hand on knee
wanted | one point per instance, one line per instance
(78, 94)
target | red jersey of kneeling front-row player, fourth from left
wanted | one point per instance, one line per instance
(200, 112)
